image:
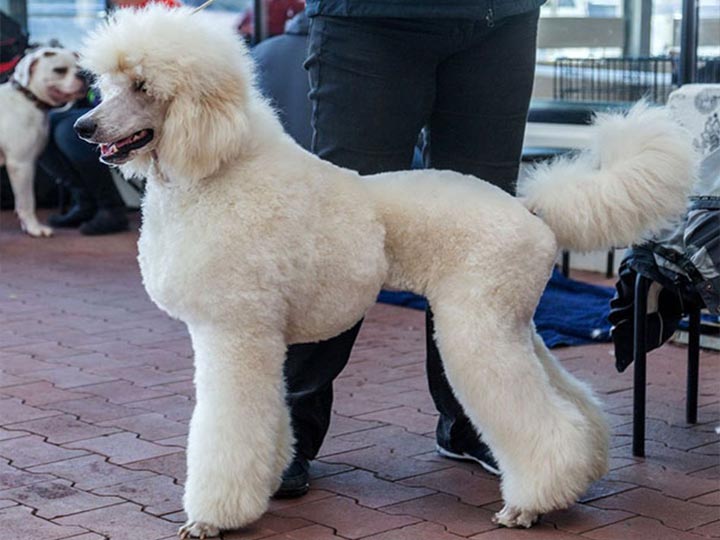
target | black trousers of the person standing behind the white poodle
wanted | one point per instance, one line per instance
(375, 84)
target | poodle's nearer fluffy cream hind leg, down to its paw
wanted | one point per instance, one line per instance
(541, 440)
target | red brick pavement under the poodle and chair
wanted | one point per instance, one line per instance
(96, 393)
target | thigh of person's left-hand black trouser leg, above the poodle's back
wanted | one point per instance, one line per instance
(372, 84)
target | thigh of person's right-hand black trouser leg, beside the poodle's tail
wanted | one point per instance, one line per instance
(483, 96)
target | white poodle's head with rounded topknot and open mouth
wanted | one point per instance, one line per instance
(174, 84)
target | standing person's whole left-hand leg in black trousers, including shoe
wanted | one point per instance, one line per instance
(372, 87)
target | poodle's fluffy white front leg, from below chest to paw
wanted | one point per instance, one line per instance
(240, 438)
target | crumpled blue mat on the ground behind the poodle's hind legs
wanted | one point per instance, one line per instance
(570, 312)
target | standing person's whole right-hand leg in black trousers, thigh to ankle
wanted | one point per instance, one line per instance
(477, 128)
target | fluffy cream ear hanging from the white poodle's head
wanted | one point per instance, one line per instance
(200, 134)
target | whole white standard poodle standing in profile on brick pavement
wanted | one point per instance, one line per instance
(255, 243)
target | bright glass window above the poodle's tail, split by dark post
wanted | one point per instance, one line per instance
(592, 51)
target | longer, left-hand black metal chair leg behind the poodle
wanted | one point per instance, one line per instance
(642, 284)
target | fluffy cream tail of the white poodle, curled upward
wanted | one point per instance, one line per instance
(632, 180)
